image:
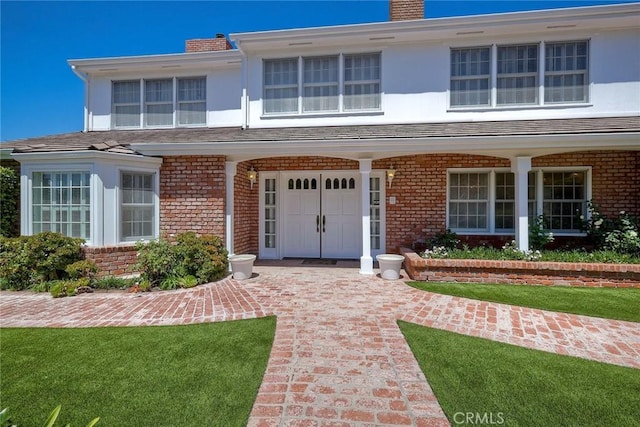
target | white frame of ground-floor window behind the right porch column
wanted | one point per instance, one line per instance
(539, 200)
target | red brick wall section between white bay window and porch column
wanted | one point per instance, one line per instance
(192, 195)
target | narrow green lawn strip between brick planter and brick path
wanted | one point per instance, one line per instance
(610, 303)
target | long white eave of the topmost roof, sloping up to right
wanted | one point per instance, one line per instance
(547, 15)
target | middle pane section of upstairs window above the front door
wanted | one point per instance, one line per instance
(320, 84)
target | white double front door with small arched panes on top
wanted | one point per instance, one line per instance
(322, 215)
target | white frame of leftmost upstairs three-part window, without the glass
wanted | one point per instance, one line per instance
(142, 103)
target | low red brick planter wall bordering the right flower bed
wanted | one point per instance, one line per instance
(521, 272)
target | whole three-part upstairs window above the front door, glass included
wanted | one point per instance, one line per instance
(332, 83)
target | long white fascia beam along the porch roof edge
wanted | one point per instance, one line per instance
(376, 148)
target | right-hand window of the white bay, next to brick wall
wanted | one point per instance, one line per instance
(137, 205)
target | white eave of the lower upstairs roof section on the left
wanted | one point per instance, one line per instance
(209, 58)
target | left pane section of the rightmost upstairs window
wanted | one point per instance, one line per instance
(470, 76)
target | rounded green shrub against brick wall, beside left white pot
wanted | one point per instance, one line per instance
(169, 266)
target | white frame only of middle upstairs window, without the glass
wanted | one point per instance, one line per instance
(301, 85)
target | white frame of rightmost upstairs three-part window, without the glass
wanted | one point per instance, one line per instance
(541, 74)
